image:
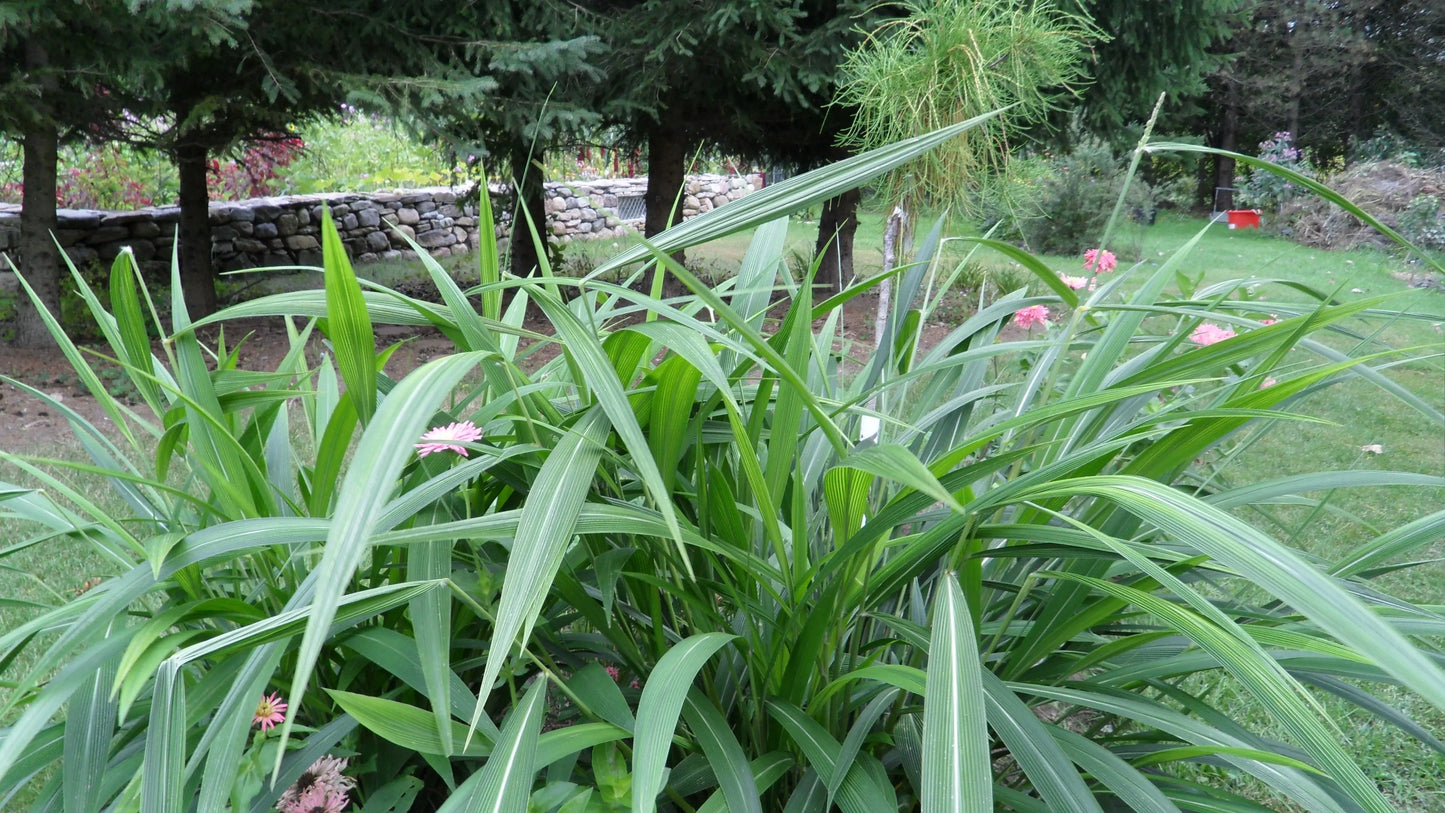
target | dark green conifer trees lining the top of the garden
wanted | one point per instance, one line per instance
(756, 79)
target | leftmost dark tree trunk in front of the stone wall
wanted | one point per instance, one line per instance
(40, 258)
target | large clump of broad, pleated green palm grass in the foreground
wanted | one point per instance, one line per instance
(715, 558)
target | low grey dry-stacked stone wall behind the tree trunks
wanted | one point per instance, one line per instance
(443, 222)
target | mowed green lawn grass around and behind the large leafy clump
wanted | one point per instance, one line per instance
(1358, 417)
